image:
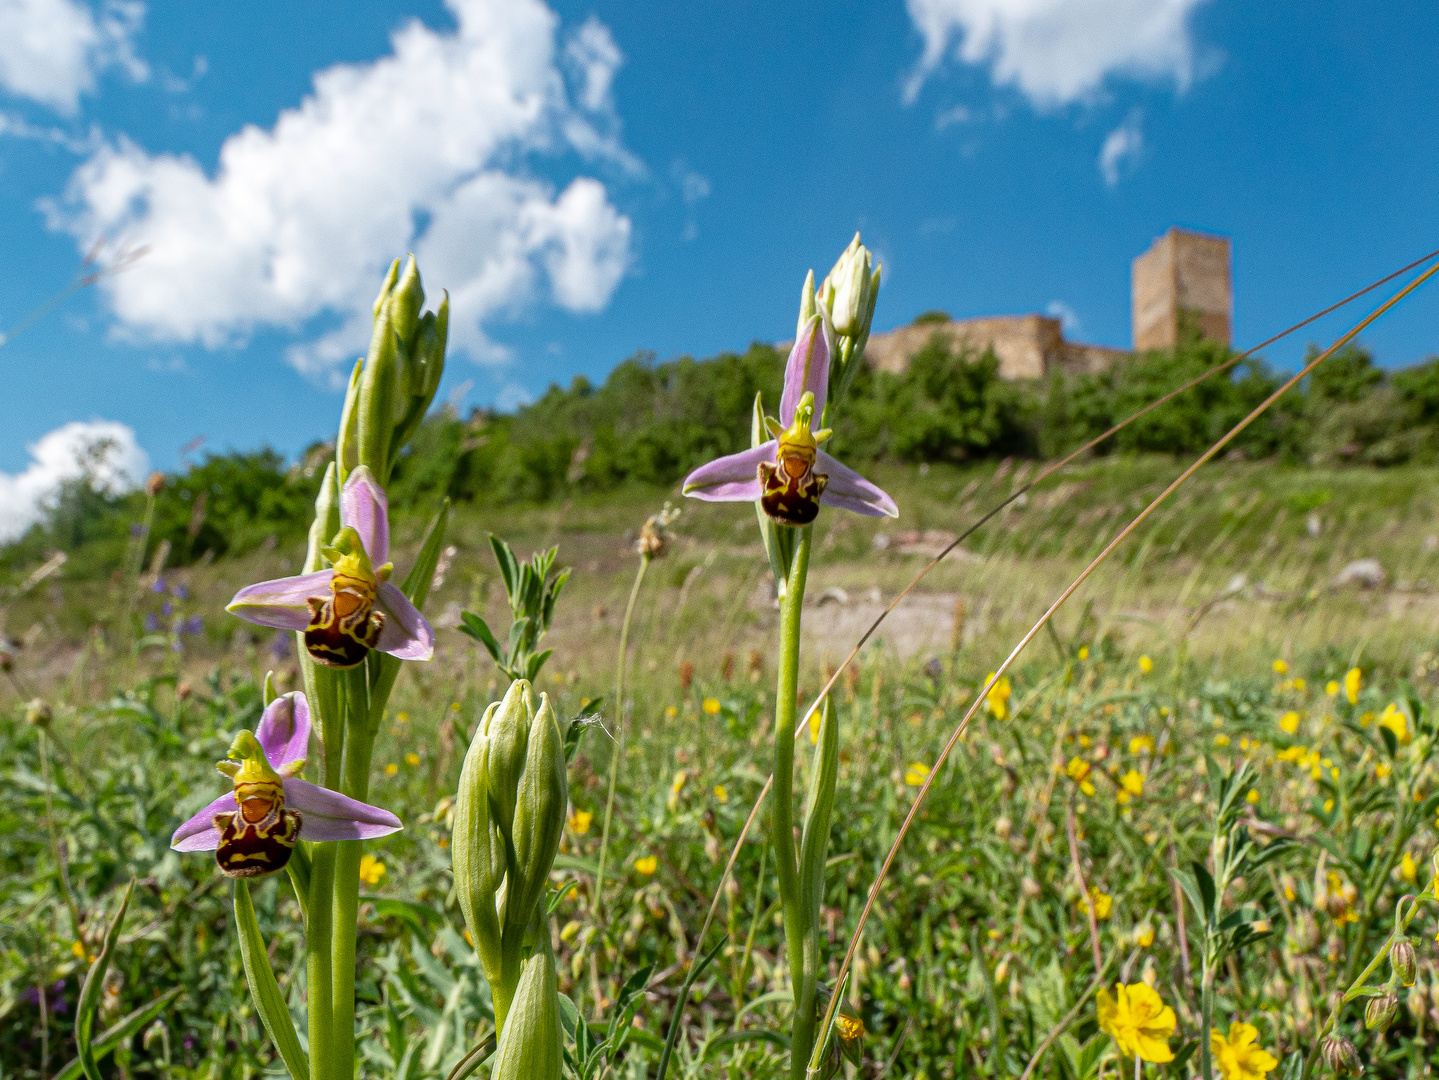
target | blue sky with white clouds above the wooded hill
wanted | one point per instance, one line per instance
(594, 179)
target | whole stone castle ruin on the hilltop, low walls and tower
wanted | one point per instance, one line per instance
(1184, 277)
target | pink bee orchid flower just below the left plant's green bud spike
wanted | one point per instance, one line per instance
(353, 608)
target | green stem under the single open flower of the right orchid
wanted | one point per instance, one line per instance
(786, 866)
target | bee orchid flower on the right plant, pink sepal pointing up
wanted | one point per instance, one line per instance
(789, 475)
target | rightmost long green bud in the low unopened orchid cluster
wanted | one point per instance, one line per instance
(540, 813)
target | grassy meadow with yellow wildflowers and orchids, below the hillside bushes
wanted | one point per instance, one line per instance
(820, 763)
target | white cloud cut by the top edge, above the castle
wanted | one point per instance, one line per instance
(1057, 52)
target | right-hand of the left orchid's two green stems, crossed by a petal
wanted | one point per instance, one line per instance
(359, 743)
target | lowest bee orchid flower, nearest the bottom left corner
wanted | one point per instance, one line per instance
(254, 828)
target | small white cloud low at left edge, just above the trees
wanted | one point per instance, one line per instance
(101, 449)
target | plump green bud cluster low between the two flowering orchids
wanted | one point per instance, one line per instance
(510, 812)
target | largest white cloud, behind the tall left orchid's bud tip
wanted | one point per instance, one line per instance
(427, 150)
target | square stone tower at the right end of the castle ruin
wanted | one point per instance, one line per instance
(1185, 275)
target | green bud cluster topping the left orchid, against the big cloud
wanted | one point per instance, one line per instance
(392, 389)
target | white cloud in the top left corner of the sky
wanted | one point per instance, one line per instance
(53, 51)
